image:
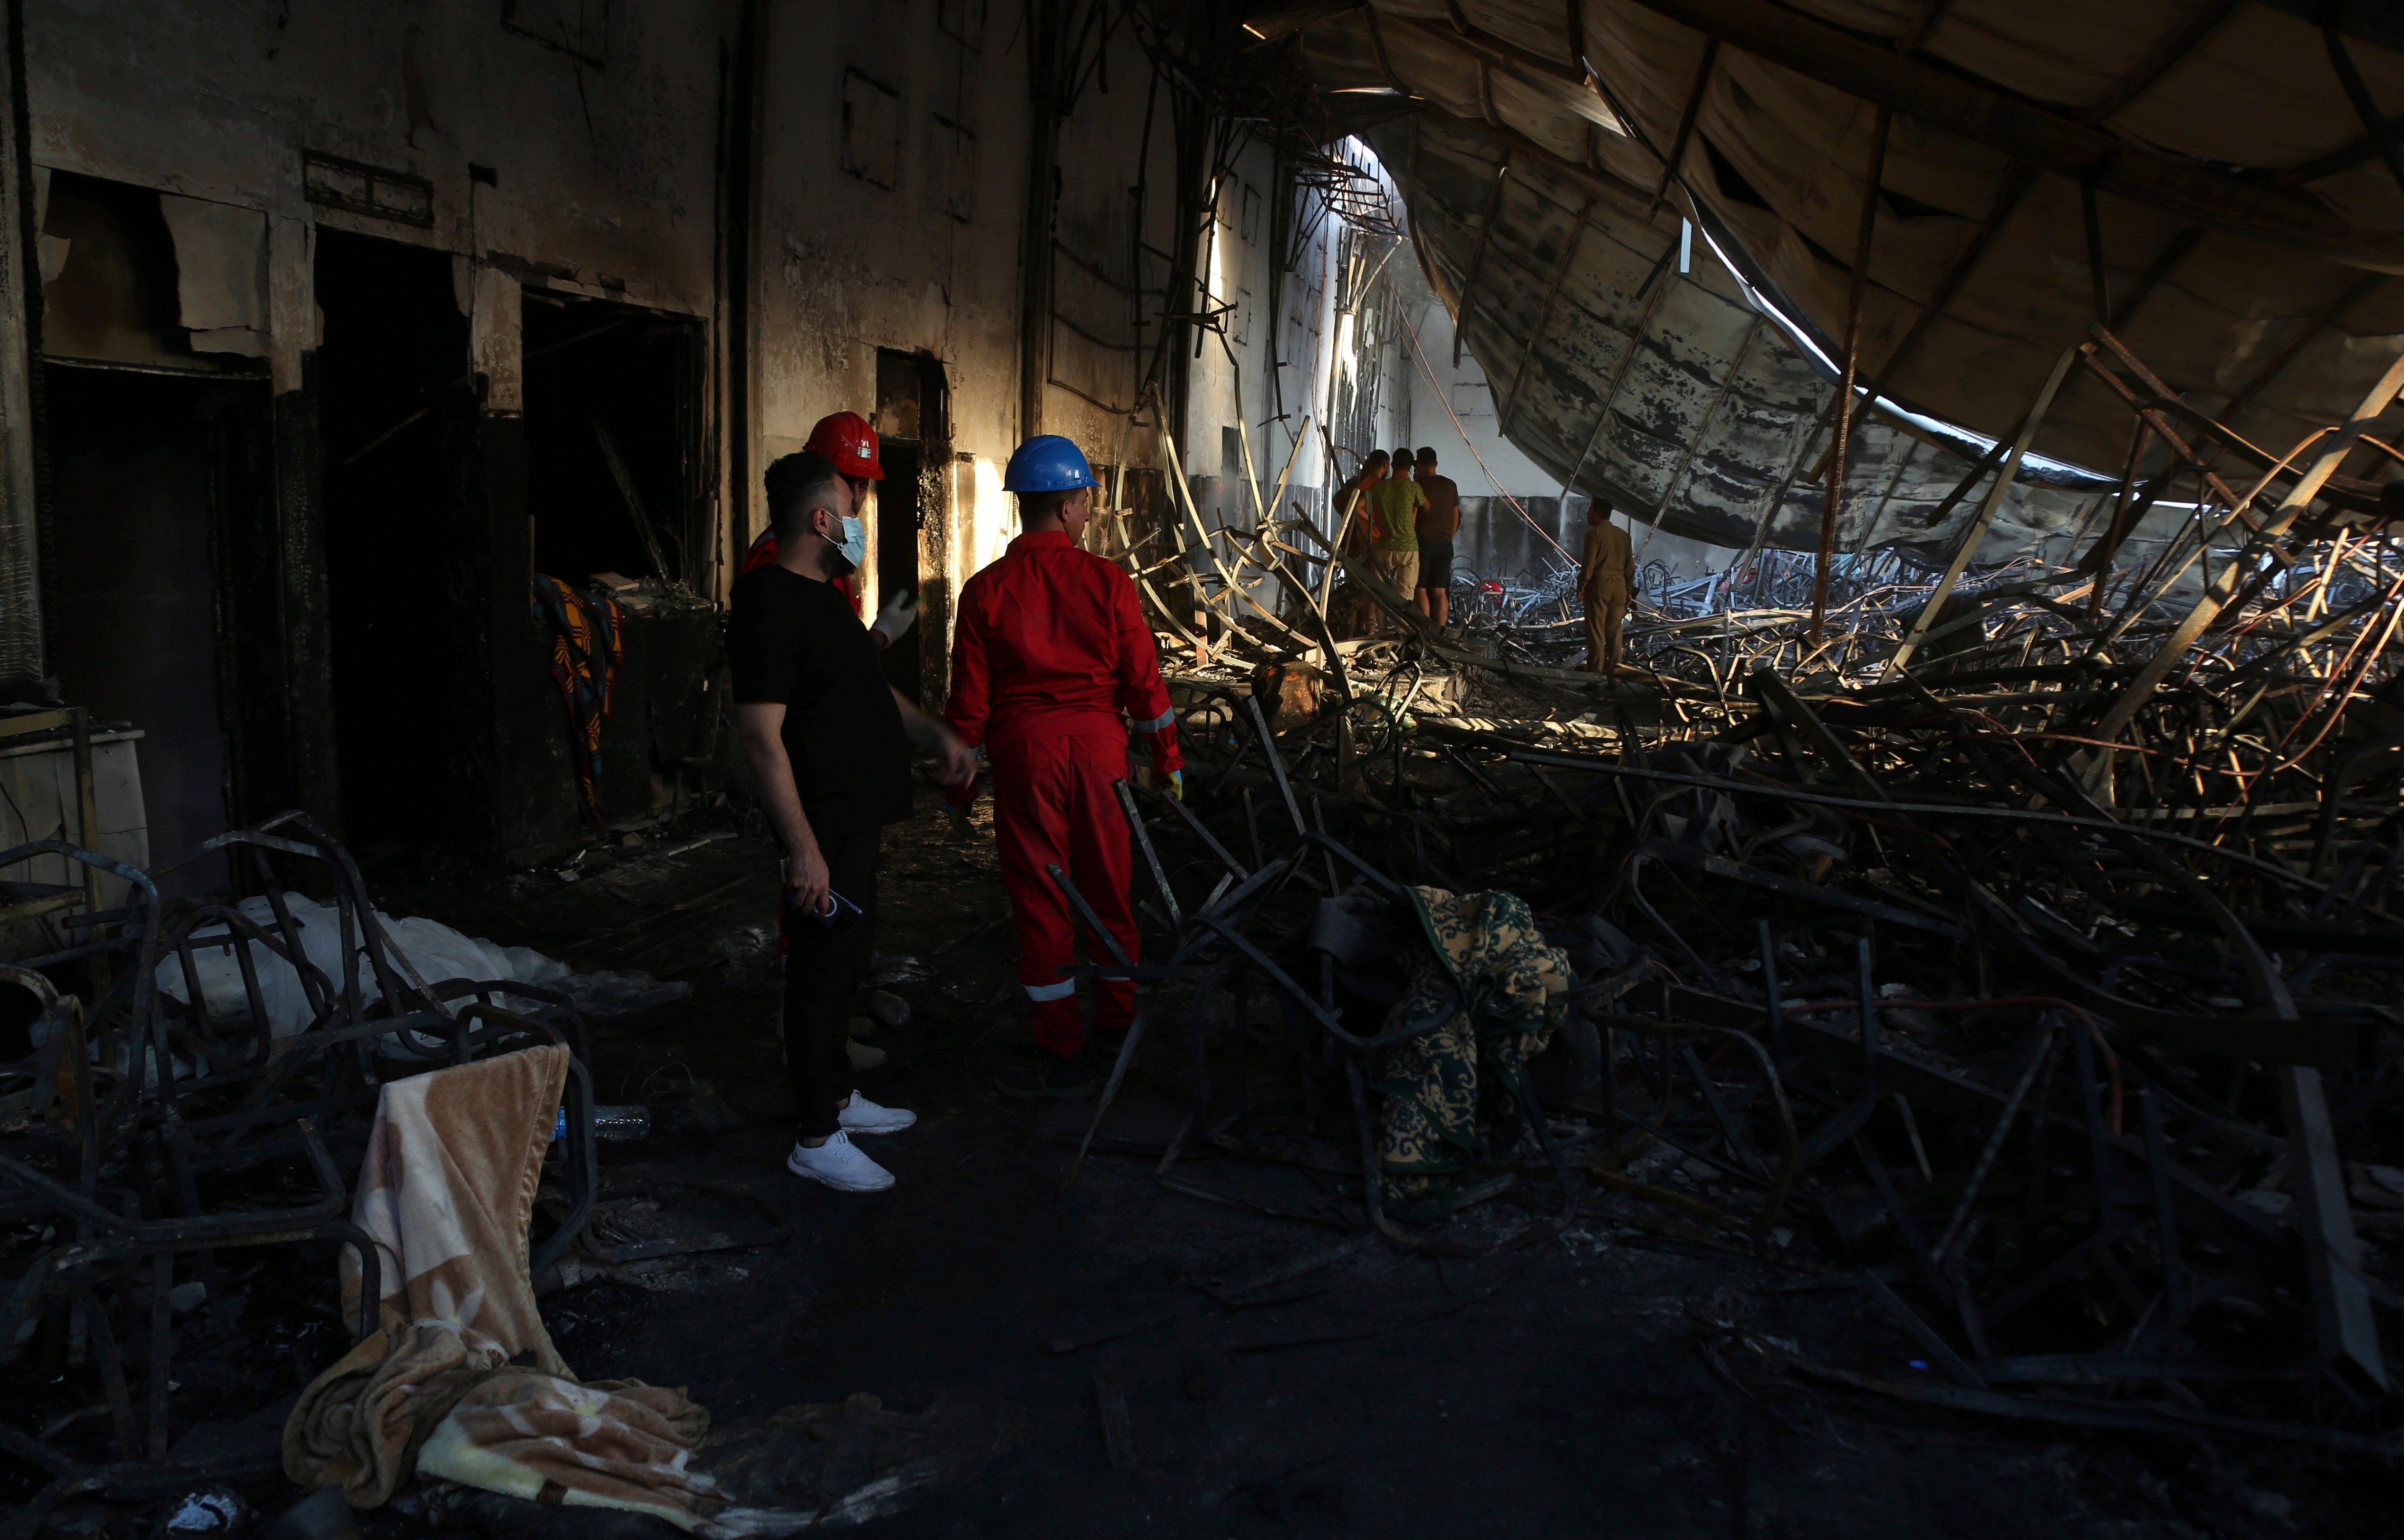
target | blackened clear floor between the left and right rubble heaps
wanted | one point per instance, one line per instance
(1602, 1383)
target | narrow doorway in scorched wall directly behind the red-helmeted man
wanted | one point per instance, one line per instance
(917, 448)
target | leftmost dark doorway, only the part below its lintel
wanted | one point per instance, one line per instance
(138, 484)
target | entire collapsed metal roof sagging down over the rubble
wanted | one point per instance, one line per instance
(2189, 172)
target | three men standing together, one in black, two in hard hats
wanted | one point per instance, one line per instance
(1052, 664)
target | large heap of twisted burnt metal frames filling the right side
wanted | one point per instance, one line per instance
(2042, 986)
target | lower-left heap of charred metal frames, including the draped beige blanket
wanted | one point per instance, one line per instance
(278, 1190)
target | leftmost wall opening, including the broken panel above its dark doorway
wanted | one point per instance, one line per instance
(157, 441)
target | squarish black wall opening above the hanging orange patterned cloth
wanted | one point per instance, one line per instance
(614, 441)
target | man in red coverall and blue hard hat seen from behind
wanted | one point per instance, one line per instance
(1049, 650)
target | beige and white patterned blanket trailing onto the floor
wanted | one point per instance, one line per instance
(448, 1193)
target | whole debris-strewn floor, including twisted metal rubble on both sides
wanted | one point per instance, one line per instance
(1946, 1128)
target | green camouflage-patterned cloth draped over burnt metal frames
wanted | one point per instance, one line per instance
(1499, 991)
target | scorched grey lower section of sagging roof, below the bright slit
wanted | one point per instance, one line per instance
(1660, 393)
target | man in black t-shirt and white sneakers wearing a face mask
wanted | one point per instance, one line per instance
(828, 741)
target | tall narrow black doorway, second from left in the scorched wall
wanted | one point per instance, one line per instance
(395, 400)
